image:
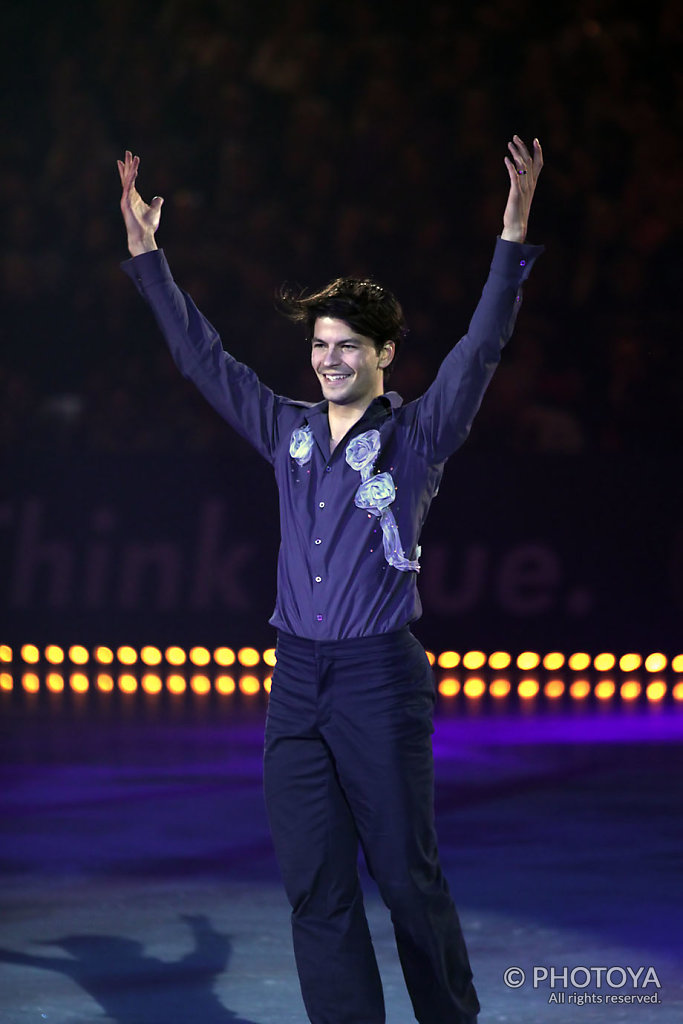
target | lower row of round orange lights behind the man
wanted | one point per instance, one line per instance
(473, 688)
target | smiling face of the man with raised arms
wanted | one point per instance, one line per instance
(349, 365)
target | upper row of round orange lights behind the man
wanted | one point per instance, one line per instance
(474, 661)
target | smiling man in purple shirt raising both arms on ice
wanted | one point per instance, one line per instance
(349, 754)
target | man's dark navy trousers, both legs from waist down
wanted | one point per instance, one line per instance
(349, 759)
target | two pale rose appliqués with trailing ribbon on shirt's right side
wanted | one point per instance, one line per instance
(376, 495)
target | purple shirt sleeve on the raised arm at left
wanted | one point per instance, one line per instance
(233, 389)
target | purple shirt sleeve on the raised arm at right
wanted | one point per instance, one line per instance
(444, 415)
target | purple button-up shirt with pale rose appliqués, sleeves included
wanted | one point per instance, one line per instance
(334, 580)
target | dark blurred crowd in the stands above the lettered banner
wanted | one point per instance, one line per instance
(302, 141)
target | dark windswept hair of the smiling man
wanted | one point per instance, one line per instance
(369, 310)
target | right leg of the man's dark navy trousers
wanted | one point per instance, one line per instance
(380, 735)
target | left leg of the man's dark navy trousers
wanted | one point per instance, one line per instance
(317, 847)
